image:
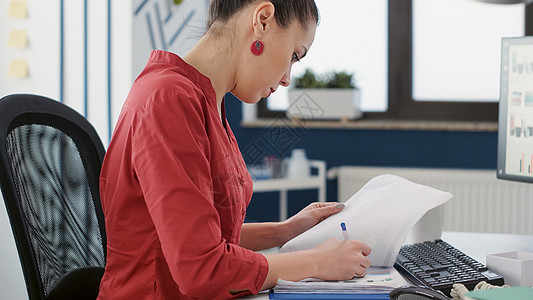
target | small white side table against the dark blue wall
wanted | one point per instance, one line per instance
(282, 185)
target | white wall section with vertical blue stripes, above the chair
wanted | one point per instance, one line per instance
(67, 55)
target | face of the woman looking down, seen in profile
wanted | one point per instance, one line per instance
(261, 75)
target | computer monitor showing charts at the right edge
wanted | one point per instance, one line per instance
(515, 124)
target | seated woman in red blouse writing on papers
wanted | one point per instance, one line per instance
(174, 186)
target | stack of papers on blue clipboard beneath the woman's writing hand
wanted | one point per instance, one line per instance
(377, 281)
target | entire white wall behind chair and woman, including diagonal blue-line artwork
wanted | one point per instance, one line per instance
(86, 54)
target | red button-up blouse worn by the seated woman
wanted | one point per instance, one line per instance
(174, 190)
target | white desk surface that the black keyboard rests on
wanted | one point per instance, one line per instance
(476, 245)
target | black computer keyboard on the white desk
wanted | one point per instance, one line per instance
(439, 265)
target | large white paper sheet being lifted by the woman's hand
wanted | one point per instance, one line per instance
(380, 214)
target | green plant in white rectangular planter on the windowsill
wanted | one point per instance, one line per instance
(328, 96)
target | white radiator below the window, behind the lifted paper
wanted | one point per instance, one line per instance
(481, 203)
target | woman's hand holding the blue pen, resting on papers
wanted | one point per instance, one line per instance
(341, 260)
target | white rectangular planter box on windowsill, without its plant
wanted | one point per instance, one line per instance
(310, 104)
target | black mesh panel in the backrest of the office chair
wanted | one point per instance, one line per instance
(51, 181)
